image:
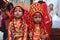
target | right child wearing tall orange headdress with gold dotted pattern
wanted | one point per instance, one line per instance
(37, 30)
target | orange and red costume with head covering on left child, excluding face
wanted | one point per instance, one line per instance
(18, 29)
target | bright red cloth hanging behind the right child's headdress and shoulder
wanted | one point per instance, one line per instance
(47, 17)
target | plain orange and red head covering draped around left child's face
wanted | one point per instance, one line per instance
(22, 7)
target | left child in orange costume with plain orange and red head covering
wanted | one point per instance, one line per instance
(18, 28)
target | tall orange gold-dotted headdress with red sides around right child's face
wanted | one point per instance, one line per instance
(35, 7)
